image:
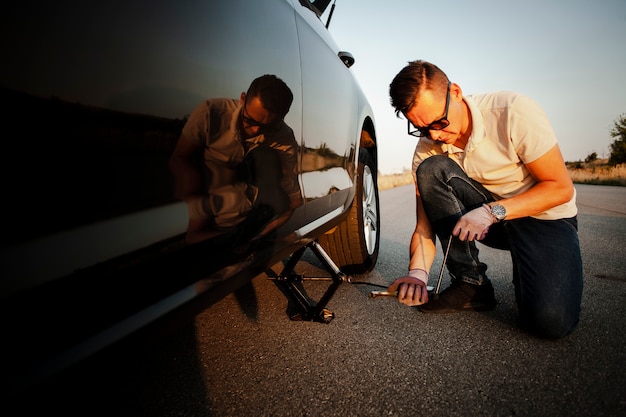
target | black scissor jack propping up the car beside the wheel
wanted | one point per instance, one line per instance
(290, 284)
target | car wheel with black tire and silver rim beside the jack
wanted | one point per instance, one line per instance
(353, 245)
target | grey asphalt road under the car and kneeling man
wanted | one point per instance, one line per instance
(244, 357)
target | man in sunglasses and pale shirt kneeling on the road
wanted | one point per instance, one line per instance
(488, 168)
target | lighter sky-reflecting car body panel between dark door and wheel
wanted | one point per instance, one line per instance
(329, 116)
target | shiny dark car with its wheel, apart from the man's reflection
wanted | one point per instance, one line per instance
(95, 243)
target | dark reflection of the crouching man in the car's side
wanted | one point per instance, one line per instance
(235, 163)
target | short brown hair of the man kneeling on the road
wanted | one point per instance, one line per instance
(415, 78)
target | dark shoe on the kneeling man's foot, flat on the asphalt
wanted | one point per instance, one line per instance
(461, 296)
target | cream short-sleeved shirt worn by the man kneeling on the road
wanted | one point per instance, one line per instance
(509, 130)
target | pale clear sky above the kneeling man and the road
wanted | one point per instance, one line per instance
(568, 55)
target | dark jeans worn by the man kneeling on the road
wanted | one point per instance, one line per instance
(547, 264)
